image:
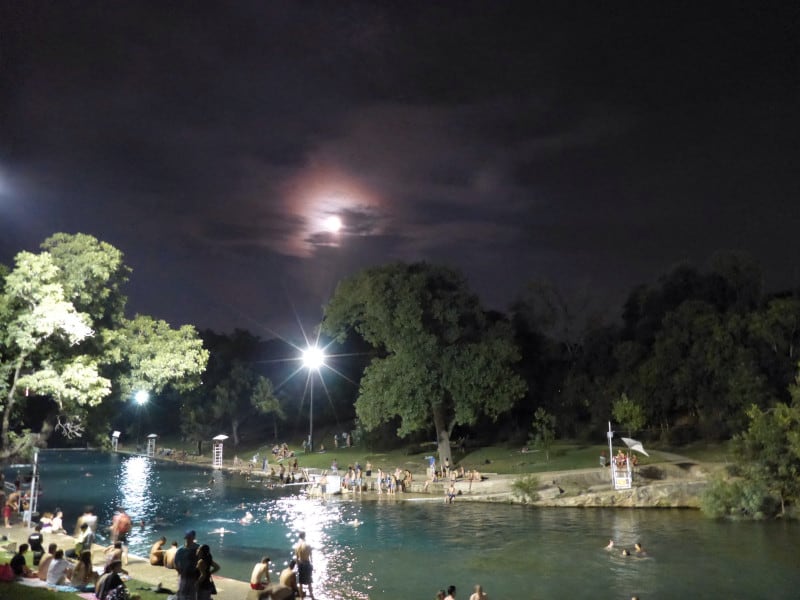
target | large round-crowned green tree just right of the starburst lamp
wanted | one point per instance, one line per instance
(440, 360)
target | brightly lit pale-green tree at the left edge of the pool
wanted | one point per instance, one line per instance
(63, 337)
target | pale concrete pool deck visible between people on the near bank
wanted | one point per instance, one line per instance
(138, 567)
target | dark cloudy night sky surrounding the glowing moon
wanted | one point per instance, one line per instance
(593, 144)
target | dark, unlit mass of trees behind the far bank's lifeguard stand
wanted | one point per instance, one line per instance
(693, 352)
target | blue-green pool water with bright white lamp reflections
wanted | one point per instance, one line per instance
(412, 549)
